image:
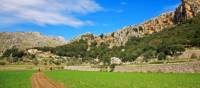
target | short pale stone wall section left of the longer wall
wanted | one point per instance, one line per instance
(81, 68)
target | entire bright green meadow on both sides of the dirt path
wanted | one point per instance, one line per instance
(77, 79)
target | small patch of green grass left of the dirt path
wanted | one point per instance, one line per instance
(15, 79)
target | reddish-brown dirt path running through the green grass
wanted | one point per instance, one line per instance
(40, 81)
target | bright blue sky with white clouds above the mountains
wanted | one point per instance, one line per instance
(70, 18)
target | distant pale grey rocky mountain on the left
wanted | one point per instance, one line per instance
(23, 40)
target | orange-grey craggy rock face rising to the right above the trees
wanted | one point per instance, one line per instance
(186, 10)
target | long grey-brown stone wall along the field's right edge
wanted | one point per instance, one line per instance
(189, 67)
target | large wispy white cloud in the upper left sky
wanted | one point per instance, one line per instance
(52, 12)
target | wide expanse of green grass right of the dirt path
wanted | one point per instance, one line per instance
(76, 79)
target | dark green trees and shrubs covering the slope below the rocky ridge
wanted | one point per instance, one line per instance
(170, 42)
